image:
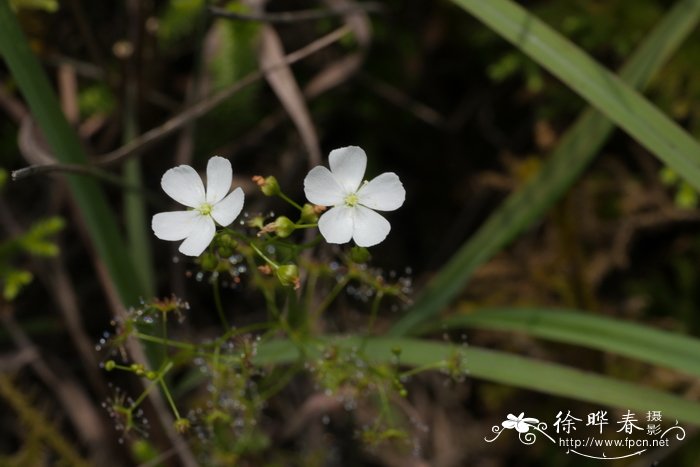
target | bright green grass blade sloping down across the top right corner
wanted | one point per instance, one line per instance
(601, 88)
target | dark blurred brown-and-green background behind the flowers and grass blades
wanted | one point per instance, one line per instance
(428, 92)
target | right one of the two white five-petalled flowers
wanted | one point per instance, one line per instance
(354, 202)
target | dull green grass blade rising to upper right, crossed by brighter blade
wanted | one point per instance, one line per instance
(573, 154)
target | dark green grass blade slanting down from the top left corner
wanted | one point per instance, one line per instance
(97, 214)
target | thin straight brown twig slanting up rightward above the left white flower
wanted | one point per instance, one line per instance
(207, 104)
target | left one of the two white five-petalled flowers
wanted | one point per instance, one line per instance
(196, 226)
